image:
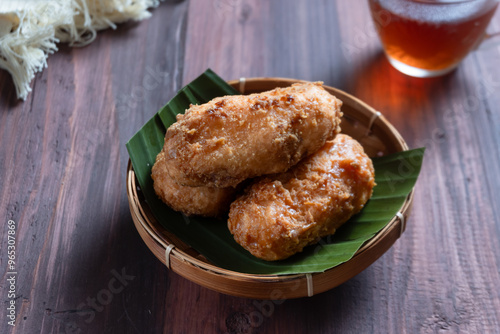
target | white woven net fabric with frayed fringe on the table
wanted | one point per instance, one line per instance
(30, 30)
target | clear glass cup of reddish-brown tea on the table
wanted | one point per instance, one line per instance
(427, 38)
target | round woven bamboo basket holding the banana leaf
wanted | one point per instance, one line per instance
(360, 121)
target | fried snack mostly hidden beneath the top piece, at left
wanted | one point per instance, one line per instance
(203, 201)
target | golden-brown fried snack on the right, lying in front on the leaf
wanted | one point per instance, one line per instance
(278, 216)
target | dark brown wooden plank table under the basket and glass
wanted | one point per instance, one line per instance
(81, 265)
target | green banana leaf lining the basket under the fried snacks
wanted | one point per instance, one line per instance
(395, 176)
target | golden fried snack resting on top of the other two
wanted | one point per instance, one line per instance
(232, 138)
